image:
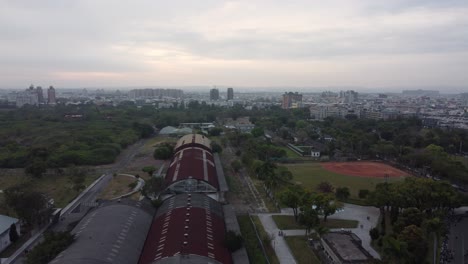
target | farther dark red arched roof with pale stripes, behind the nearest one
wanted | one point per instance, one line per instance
(192, 163)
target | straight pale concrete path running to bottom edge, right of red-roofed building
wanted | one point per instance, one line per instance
(278, 243)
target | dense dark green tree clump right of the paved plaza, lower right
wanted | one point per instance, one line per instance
(416, 208)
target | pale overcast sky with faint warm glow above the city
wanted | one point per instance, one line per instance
(391, 44)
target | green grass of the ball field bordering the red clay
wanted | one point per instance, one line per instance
(309, 175)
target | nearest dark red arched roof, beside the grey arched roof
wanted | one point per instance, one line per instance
(186, 231)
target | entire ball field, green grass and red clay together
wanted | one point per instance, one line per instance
(309, 175)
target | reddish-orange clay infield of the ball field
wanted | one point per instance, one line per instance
(363, 169)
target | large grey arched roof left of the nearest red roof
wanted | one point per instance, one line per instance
(112, 233)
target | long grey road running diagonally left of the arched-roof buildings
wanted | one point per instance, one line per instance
(77, 209)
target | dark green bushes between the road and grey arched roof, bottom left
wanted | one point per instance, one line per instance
(47, 250)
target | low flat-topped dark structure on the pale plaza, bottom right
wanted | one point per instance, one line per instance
(344, 248)
